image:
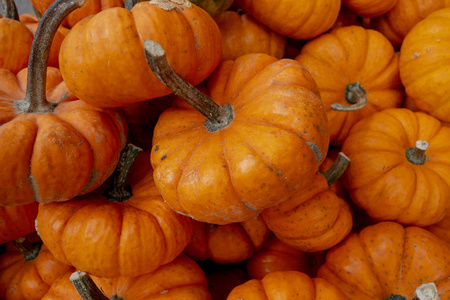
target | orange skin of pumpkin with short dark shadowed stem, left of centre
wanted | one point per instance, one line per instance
(115, 239)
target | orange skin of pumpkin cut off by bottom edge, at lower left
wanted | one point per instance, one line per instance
(180, 279)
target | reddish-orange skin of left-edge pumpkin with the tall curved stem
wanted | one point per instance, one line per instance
(70, 151)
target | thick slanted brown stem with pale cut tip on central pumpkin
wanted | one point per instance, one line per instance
(218, 117)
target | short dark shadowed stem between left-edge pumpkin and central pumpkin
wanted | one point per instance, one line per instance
(120, 191)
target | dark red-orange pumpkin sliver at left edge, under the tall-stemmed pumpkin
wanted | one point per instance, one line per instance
(17, 221)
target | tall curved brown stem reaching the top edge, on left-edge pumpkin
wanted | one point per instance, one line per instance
(35, 100)
